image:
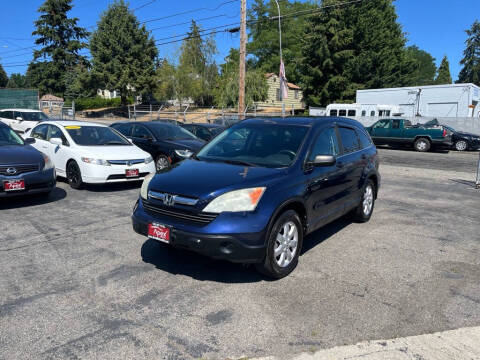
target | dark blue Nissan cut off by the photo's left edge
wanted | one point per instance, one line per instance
(23, 169)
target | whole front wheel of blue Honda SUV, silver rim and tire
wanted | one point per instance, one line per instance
(287, 247)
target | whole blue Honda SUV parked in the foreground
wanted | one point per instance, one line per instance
(255, 191)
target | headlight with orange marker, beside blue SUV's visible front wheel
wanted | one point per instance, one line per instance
(236, 201)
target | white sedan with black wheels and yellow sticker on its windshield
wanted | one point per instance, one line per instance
(90, 153)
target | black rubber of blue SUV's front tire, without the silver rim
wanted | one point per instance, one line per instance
(270, 267)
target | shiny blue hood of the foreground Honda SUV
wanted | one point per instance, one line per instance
(202, 179)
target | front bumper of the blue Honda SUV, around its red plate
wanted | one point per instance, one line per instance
(234, 247)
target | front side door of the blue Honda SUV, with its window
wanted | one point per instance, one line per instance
(324, 183)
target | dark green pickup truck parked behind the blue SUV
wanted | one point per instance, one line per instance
(400, 132)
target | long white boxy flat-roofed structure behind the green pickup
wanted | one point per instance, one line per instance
(451, 100)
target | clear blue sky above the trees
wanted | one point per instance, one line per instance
(437, 26)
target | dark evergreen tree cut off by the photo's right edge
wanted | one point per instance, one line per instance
(470, 72)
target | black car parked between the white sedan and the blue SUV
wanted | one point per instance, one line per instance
(166, 143)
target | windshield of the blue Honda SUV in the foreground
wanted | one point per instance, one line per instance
(267, 145)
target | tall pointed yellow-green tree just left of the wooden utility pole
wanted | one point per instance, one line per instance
(197, 72)
